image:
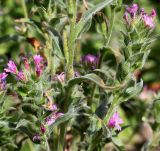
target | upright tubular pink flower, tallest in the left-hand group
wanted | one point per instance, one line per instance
(38, 64)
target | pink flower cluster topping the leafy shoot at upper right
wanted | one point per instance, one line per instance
(132, 13)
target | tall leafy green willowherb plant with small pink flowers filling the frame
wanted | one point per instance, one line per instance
(66, 100)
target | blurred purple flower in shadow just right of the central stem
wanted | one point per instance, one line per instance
(90, 60)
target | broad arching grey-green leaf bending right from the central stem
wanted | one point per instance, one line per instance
(89, 77)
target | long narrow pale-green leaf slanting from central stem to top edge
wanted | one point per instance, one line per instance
(88, 15)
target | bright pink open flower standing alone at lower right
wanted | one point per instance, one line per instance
(115, 121)
